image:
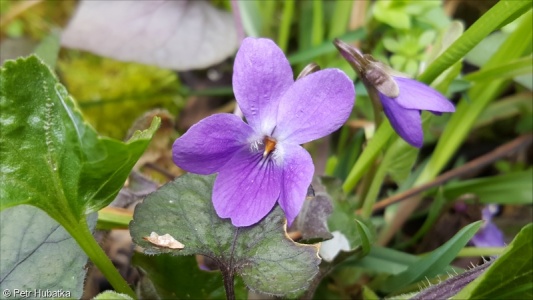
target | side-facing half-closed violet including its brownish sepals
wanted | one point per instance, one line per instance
(402, 99)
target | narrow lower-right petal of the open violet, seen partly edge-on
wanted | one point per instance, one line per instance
(297, 175)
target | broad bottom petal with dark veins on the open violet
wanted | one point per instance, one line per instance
(247, 188)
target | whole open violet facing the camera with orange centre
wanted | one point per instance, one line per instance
(261, 162)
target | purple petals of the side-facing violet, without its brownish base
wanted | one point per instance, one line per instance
(404, 110)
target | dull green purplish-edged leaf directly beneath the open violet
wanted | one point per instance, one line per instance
(266, 259)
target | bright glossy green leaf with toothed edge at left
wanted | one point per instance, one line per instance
(50, 157)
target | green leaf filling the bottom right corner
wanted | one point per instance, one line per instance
(510, 276)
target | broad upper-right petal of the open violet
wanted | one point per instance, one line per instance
(315, 106)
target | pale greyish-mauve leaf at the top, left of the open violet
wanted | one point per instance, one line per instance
(179, 35)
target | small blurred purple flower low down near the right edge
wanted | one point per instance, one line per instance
(489, 235)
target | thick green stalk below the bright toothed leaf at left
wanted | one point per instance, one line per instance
(81, 233)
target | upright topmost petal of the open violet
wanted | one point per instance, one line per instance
(261, 75)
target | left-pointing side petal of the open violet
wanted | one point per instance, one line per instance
(210, 143)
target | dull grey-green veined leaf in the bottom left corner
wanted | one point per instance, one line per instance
(37, 253)
